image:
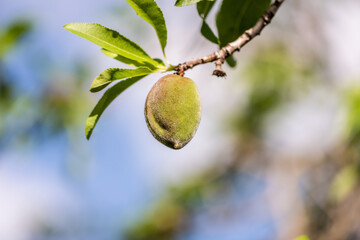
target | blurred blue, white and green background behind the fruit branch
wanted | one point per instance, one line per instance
(277, 153)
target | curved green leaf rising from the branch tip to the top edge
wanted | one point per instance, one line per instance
(150, 12)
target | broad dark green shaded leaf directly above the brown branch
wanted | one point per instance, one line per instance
(236, 16)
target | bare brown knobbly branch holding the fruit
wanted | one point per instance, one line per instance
(220, 56)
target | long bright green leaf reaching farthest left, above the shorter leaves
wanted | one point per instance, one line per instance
(110, 40)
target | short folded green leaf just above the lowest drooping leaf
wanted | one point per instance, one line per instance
(112, 74)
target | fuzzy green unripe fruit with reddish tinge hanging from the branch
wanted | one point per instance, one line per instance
(173, 110)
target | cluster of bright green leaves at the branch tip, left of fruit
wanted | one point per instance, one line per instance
(120, 48)
